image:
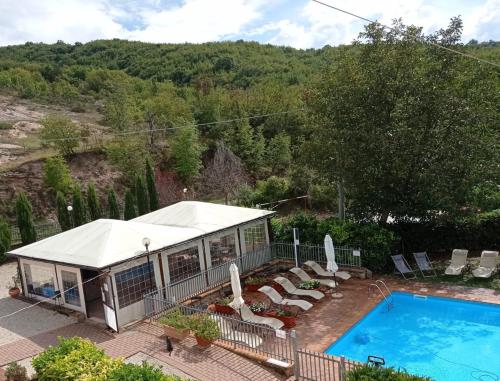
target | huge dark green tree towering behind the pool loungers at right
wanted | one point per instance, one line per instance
(388, 119)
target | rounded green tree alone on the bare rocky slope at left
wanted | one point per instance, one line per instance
(60, 133)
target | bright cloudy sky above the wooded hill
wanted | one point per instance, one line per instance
(297, 23)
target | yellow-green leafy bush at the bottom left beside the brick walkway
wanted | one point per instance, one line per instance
(74, 359)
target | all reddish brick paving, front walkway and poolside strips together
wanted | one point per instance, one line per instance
(316, 330)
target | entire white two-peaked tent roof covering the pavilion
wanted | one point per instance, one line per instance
(102, 243)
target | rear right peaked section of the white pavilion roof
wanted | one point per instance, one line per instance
(206, 217)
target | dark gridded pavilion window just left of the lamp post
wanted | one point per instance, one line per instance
(133, 283)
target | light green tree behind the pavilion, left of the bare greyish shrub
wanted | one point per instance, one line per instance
(186, 151)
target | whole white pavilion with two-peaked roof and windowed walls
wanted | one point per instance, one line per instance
(103, 268)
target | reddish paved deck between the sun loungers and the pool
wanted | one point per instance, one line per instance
(329, 319)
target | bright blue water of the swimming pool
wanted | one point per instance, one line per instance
(446, 339)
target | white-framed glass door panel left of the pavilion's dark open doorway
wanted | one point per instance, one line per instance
(70, 285)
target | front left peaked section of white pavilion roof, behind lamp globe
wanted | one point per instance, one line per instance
(103, 242)
